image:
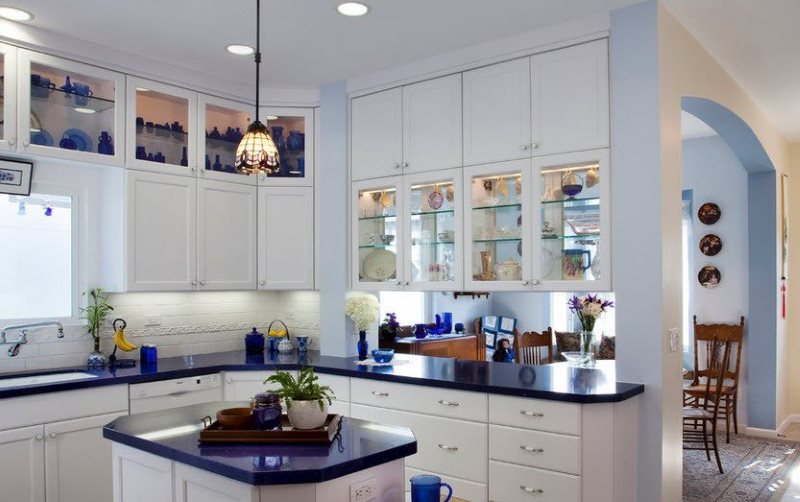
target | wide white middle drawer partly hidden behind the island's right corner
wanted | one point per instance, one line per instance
(452, 447)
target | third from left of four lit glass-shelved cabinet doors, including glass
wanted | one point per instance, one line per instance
(497, 237)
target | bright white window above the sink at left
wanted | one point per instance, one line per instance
(36, 277)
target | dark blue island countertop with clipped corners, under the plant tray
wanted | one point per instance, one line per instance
(174, 433)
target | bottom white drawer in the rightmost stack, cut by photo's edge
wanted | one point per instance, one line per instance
(514, 483)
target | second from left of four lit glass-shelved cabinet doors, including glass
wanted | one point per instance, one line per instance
(433, 231)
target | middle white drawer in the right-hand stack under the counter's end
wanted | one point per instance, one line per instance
(535, 449)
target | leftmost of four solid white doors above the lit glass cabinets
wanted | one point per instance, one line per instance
(376, 144)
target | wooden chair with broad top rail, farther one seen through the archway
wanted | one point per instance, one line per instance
(704, 334)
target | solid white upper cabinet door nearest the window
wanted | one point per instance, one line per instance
(161, 237)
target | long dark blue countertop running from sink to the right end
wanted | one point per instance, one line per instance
(558, 382)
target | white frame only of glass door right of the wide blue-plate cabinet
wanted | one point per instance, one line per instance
(130, 121)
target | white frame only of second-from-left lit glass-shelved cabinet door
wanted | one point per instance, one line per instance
(430, 178)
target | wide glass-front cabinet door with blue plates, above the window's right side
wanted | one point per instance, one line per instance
(70, 110)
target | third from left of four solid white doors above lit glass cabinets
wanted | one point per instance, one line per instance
(497, 112)
